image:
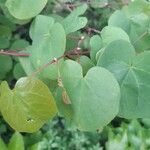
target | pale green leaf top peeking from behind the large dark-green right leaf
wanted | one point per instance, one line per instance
(110, 34)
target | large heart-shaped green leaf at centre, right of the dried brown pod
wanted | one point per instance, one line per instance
(94, 98)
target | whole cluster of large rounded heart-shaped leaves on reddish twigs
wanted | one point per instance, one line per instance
(90, 80)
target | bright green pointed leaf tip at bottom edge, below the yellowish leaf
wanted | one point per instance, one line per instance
(16, 142)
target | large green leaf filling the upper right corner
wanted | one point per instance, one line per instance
(135, 21)
